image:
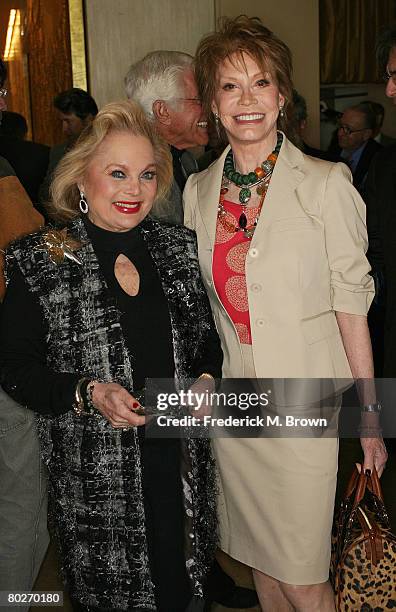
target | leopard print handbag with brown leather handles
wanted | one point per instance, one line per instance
(363, 559)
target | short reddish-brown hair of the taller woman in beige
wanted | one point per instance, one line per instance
(237, 36)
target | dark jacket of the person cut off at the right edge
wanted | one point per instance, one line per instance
(380, 197)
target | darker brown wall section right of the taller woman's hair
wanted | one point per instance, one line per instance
(297, 24)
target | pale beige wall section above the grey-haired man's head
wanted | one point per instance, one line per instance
(119, 32)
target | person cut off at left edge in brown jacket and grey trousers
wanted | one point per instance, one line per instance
(23, 498)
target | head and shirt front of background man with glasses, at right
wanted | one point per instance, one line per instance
(357, 147)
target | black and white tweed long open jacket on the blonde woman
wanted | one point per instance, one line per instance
(95, 470)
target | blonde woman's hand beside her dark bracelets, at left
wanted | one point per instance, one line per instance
(117, 405)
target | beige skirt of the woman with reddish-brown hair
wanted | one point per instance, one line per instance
(276, 502)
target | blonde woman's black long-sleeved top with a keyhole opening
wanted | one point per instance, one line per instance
(145, 322)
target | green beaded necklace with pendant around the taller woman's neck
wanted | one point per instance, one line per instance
(245, 181)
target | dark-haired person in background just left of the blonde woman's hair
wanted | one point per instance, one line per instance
(76, 109)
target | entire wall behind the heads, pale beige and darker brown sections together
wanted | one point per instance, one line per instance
(121, 31)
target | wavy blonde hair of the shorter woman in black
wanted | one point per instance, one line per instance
(125, 116)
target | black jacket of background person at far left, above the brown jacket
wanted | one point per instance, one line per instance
(29, 160)
